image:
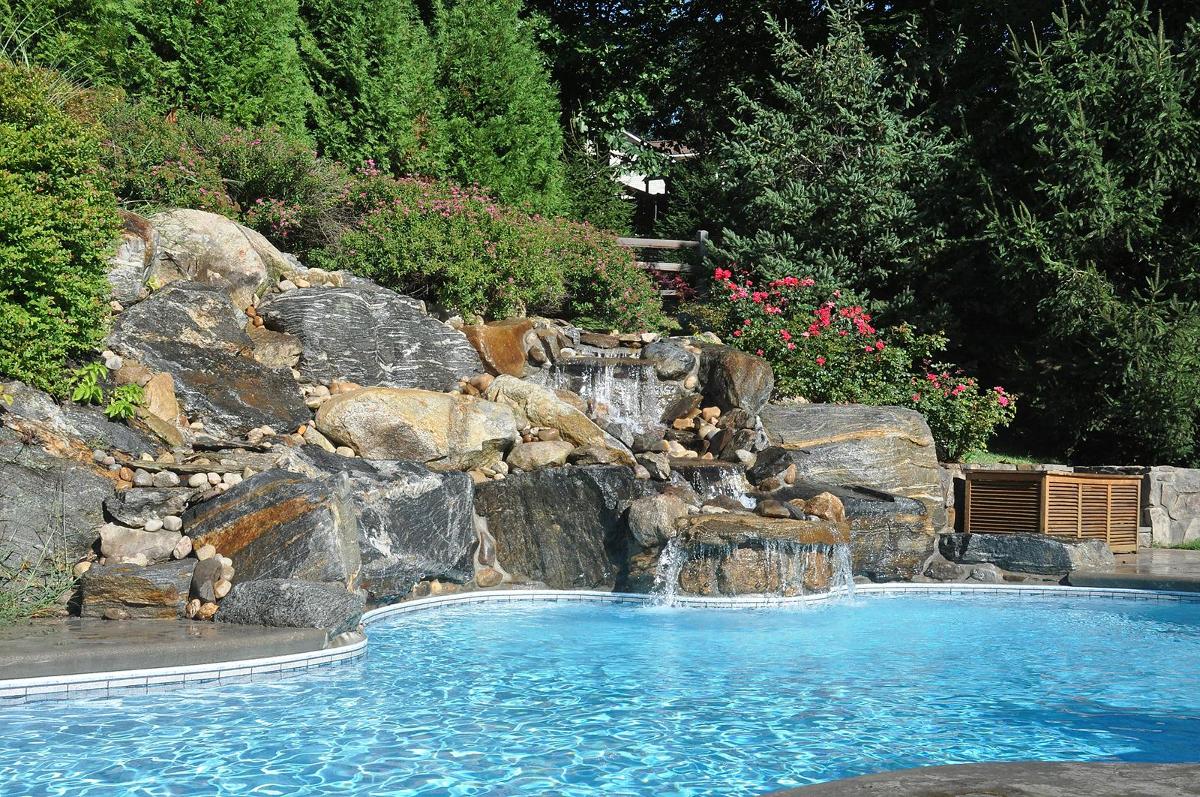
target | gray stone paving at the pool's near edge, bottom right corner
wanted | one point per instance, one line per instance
(1022, 780)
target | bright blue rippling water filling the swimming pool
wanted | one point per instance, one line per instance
(568, 699)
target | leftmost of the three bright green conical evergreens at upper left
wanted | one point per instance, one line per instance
(235, 59)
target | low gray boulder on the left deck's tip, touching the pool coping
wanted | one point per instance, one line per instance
(284, 603)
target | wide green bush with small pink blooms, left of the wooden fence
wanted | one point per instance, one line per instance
(464, 251)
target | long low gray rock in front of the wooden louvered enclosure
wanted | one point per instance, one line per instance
(1039, 554)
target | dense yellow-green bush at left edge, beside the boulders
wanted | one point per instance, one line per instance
(58, 220)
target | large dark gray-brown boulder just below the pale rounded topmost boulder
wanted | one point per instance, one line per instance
(194, 333)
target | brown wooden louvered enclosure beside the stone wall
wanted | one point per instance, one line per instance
(1071, 506)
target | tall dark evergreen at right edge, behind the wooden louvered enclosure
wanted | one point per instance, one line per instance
(1095, 226)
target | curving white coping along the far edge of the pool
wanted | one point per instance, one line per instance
(130, 682)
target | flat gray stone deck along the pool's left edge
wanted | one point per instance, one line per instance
(76, 646)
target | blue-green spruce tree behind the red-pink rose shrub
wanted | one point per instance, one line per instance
(829, 175)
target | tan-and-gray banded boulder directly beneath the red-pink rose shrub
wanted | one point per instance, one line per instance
(883, 448)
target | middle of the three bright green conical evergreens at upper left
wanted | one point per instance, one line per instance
(373, 67)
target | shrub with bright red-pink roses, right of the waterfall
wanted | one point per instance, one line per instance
(826, 347)
